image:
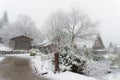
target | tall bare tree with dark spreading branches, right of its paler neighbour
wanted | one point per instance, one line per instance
(79, 25)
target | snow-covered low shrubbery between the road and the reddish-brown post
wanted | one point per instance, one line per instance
(42, 64)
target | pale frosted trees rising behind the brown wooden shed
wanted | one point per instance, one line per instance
(24, 25)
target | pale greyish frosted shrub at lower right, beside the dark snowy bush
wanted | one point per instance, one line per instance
(97, 68)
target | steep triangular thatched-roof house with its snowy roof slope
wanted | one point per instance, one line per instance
(96, 44)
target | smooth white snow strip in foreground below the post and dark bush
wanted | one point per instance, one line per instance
(69, 76)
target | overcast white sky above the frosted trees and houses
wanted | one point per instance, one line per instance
(107, 11)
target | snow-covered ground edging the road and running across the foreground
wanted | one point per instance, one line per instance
(43, 64)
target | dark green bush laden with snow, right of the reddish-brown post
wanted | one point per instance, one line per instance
(70, 60)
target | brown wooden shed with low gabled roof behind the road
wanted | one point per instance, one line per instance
(21, 42)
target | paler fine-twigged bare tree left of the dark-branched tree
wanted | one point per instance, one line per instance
(54, 27)
